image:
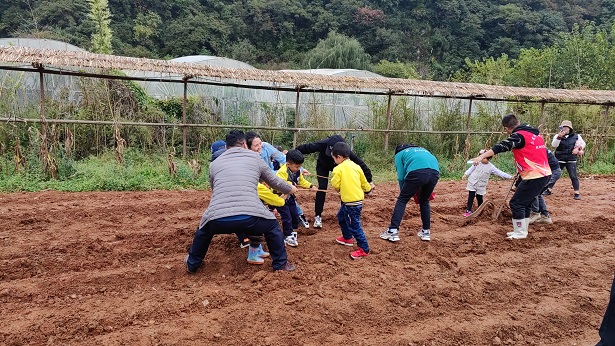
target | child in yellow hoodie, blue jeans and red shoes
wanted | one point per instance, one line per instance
(348, 178)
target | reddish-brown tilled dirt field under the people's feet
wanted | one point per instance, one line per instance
(107, 269)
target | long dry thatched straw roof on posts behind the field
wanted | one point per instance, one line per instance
(62, 59)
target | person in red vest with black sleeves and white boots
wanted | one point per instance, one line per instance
(528, 149)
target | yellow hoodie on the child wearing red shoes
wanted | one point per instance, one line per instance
(348, 178)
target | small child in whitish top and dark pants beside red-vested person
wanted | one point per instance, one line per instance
(478, 177)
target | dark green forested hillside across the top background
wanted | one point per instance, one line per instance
(434, 36)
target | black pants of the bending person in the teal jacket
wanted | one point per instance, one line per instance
(421, 179)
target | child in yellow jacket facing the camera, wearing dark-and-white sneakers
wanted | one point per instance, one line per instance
(290, 171)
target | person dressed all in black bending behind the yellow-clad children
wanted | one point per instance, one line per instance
(324, 165)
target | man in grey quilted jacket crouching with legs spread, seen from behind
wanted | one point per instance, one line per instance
(235, 204)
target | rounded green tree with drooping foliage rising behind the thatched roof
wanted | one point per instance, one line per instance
(337, 51)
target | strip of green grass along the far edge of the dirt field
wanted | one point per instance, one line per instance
(146, 171)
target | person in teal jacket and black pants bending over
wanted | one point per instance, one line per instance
(417, 172)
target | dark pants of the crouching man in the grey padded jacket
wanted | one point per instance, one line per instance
(252, 226)
